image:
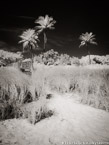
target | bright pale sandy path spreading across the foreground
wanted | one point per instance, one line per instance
(72, 123)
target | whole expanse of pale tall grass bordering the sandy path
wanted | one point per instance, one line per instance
(26, 96)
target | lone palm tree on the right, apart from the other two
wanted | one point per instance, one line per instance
(86, 39)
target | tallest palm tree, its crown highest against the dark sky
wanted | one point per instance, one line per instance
(44, 23)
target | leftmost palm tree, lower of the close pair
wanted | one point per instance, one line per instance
(29, 40)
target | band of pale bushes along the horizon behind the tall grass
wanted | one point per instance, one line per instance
(52, 57)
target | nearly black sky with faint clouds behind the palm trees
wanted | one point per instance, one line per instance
(73, 18)
